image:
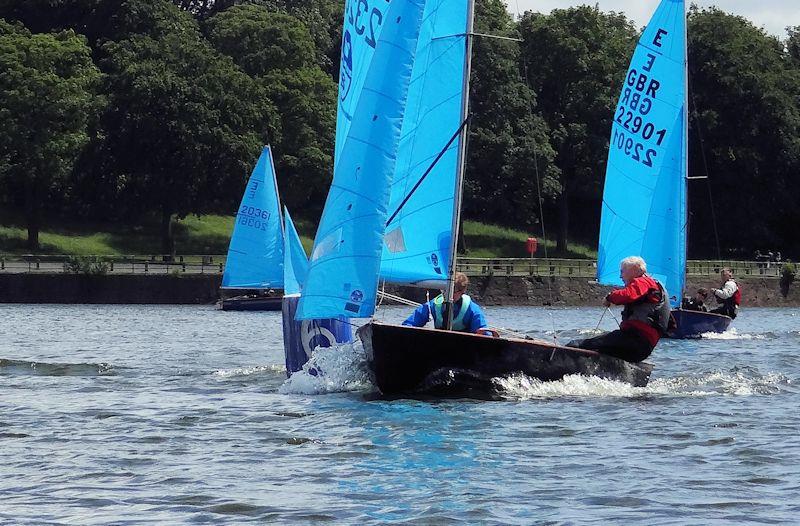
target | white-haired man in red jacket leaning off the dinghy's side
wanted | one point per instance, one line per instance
(645, 318)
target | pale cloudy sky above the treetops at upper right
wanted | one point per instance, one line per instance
(773, 15)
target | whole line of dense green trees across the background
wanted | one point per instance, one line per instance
(123, 111)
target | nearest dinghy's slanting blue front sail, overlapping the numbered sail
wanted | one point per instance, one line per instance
(343, 276)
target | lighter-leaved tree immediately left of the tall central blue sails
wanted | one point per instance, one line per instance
(277, 50)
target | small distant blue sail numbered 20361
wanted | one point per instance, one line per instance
(255, 253)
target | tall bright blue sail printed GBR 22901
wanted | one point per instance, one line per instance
(644, 198)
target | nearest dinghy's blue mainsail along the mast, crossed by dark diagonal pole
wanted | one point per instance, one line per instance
(417, 242)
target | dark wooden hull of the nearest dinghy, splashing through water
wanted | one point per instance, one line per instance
(408, 360)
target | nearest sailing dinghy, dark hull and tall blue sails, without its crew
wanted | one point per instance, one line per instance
(393, 209)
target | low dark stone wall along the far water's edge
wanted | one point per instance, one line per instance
(203, 289)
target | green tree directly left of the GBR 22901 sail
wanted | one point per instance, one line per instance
(576, 59)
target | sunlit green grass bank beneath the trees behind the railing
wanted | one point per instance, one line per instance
(210, 234)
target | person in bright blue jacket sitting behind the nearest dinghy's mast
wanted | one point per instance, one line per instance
(467, 315)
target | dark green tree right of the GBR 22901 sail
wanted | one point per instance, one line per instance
(748, 113)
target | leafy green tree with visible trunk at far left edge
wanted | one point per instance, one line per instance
(47, 98)
